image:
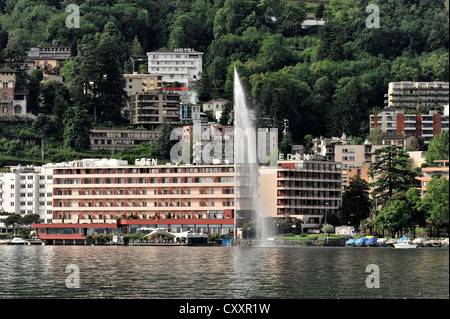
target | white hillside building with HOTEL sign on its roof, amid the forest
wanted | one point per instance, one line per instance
(183, 65)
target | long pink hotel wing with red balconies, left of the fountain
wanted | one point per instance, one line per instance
(137, 198)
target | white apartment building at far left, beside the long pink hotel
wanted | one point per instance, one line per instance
(27, 190)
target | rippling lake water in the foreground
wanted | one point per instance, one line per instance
(222, 272)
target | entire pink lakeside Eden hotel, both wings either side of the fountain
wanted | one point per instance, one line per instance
(112, 197)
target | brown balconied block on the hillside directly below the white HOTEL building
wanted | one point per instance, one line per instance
(150, 108)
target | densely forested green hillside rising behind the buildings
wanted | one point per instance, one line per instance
(325, 80)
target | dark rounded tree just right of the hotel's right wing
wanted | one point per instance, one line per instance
(356, 203)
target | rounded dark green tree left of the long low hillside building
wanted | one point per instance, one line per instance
(77, 126)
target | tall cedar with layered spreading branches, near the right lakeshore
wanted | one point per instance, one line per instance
(391, 173)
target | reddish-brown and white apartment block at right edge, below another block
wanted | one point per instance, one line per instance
(395, 121)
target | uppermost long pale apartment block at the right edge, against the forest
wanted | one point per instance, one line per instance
(407, 94)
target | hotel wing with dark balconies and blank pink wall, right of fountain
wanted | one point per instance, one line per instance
(309, 189)
